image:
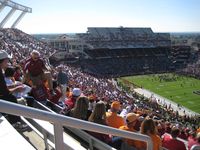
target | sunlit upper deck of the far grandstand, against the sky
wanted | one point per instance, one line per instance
(124, 37)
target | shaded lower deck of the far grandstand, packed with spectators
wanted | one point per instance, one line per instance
(123, 62)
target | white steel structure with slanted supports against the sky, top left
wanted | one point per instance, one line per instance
(14, 6)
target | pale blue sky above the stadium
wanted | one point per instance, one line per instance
(73, 16)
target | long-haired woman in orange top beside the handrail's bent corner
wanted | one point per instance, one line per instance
(148, 127)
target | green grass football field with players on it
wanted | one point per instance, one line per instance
(179, 89)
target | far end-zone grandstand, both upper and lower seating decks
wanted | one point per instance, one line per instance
(126, 51)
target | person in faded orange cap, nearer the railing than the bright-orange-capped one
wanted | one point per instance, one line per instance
(131, 119)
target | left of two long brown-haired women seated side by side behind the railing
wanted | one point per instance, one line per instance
(80, 109)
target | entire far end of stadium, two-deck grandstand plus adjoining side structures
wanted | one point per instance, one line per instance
(122, 51)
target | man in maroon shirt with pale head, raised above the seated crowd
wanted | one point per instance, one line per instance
(37, 71)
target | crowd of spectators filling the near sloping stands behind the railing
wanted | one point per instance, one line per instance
(92, 98)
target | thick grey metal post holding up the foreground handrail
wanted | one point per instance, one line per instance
(58, 132)
